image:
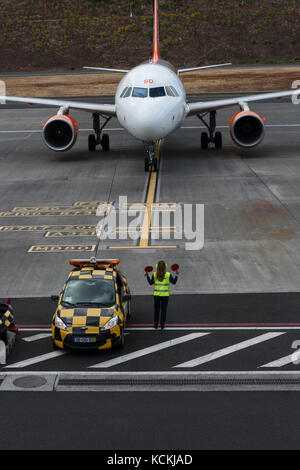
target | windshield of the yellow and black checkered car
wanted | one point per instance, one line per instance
(90, 291)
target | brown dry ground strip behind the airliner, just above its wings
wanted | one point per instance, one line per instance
(240, 80)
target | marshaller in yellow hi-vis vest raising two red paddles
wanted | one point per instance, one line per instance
(161, 280)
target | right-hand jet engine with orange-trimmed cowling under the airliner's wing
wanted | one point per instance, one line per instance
(247, 128)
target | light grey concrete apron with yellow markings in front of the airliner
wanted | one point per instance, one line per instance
(250, 198)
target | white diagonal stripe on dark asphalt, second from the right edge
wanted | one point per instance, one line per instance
(229, 350)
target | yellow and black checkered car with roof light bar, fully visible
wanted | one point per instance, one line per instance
(93, 306)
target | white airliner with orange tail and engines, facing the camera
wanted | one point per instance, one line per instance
(150, 103)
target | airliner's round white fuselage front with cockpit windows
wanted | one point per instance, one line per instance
(151, 101)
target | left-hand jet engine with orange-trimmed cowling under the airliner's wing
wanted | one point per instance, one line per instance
(60, 132)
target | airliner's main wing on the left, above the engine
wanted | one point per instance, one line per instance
(106, 109)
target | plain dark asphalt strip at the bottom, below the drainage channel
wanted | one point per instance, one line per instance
(153, 421)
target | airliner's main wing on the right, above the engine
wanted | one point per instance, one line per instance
(200, 107)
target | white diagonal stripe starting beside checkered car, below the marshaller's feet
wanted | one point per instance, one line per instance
(149, 350)
